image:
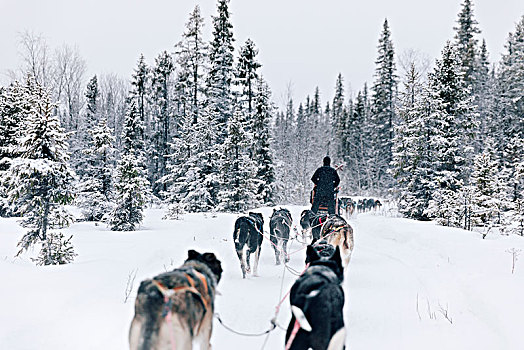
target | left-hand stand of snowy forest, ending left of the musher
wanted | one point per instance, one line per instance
(191, 130)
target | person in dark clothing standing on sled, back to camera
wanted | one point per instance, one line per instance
(326, 180)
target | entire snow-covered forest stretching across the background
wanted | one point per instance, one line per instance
(197, 130)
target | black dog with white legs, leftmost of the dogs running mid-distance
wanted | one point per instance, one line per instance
(248, 236)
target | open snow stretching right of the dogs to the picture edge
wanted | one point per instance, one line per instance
(399, 263)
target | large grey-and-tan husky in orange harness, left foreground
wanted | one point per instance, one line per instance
(175, 308)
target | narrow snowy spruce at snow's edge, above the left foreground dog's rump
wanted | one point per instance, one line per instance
(131, 186)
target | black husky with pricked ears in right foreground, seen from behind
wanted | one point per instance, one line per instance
(316, 301)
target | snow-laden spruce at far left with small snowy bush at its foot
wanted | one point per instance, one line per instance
(39, 179)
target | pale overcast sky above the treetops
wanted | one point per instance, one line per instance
(302, 42)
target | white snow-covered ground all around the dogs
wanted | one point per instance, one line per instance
(410, 285)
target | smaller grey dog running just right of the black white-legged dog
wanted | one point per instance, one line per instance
(279, 228)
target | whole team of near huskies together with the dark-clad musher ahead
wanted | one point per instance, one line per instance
(175, 309)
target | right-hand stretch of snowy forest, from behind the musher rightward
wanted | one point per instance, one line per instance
(447, 143)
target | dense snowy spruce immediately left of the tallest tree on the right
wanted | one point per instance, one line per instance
(452, 122)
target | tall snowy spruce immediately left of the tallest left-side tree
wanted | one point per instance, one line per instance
(192, 146)
